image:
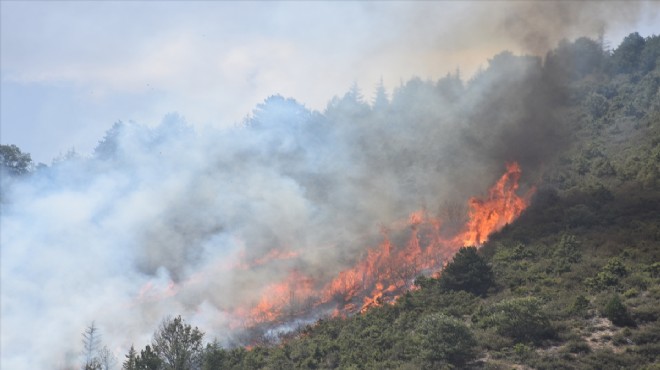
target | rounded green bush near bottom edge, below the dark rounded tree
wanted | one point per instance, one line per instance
(443, 339)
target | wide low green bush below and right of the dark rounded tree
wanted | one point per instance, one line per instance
(521, 319)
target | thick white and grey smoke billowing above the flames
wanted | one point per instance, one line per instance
(172, 220)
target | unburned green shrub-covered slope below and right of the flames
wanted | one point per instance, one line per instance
(573, 284)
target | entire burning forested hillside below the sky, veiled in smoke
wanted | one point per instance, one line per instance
(248, 229)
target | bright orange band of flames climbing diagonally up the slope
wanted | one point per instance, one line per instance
(388, 270)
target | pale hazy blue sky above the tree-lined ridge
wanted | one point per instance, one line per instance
(69, 70)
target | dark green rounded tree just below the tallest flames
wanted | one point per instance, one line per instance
(467, 271)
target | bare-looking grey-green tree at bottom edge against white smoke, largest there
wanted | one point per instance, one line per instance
(178, 345)
